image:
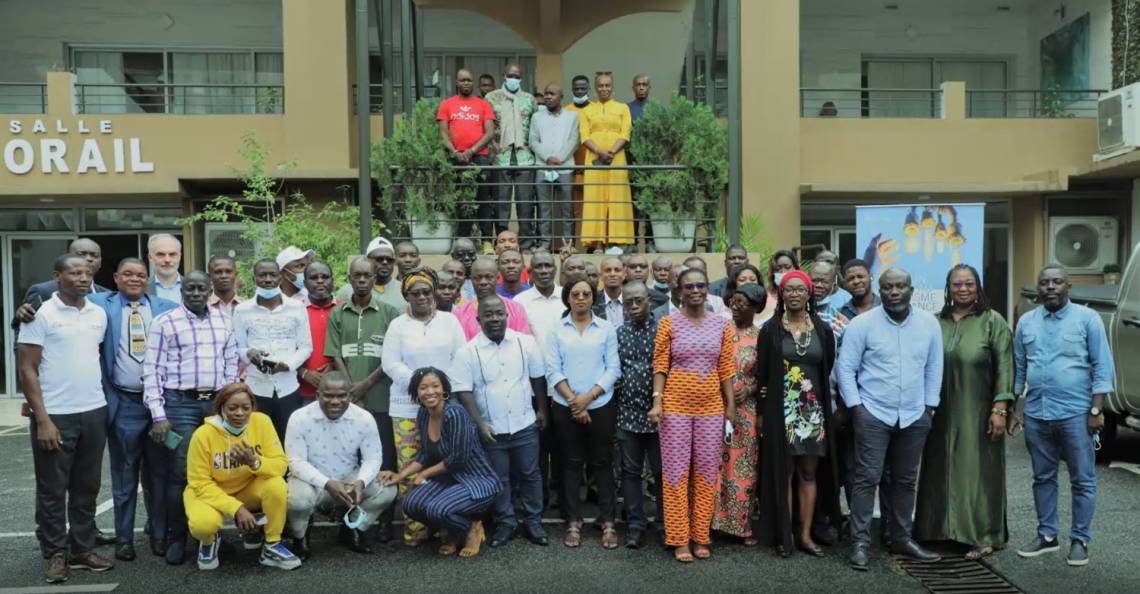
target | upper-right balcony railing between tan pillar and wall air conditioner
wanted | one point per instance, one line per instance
(1032, 103)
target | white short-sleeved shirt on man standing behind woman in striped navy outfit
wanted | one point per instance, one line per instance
(499, 376)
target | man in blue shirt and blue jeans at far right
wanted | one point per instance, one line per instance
(1061, 354)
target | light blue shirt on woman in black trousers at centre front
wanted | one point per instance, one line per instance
(583, 361)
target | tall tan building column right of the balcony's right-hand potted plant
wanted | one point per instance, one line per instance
(770, 119)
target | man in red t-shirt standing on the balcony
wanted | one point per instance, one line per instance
(467, 124)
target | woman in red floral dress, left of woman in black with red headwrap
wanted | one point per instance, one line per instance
(740, 457)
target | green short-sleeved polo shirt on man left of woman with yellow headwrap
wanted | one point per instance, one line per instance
(359, 338)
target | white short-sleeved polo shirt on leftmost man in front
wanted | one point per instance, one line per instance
(71, 380)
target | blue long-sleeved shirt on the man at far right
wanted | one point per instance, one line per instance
(1064, 359)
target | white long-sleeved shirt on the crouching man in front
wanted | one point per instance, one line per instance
(321, 450)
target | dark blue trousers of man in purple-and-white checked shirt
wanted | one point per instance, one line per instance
(185, 414)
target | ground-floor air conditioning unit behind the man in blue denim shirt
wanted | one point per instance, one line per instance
(1084, 245)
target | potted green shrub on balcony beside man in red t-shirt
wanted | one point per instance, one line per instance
(419, 184)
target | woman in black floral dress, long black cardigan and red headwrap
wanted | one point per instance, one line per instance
(795, 355)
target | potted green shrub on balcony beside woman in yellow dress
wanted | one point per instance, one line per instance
(680, 134)
